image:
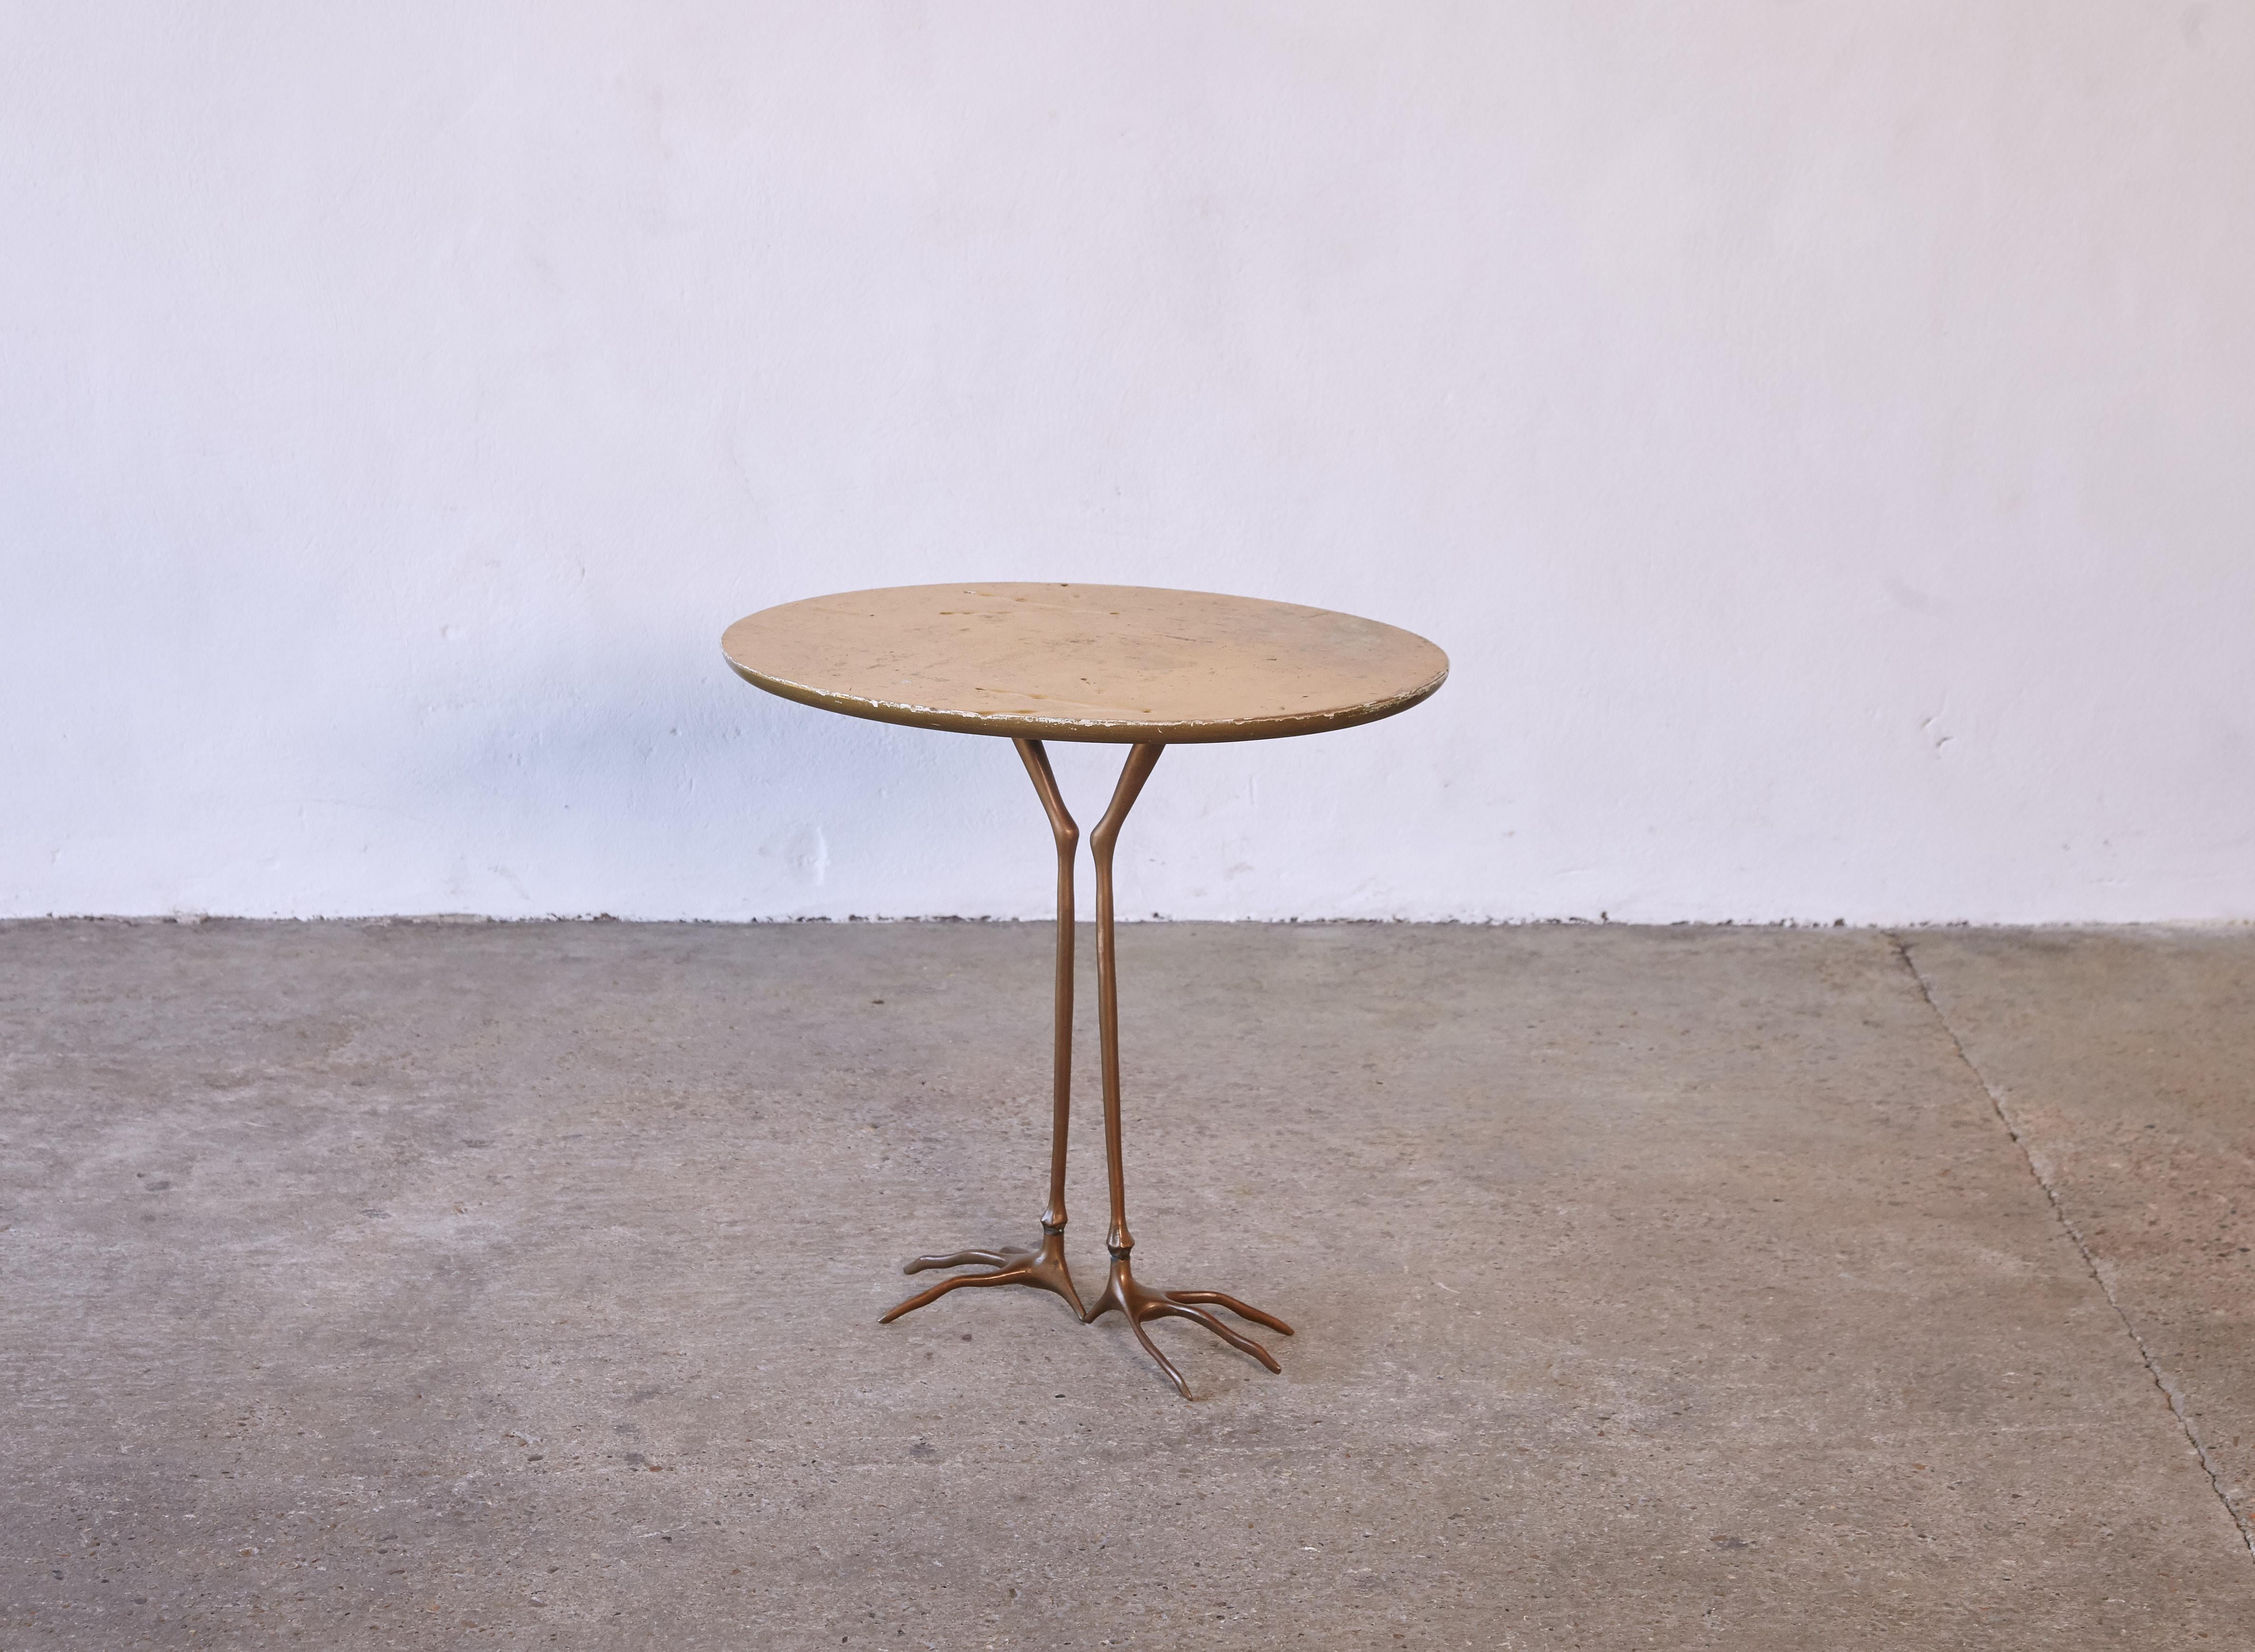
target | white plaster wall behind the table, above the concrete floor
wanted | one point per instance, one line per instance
(1821, 434)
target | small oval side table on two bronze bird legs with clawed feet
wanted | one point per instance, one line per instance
(1102, 664)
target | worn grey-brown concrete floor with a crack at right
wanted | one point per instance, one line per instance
(421, 1286)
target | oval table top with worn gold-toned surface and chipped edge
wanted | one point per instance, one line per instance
(1108, 664)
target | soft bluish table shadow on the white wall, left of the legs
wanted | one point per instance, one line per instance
(682, 792)
